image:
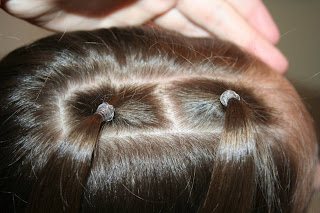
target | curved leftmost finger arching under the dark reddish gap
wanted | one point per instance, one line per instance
(49, 15)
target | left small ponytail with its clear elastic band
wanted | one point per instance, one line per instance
(62, 181)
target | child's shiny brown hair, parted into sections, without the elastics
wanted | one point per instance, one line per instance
(171, 146)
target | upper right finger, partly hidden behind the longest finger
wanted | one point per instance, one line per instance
(258, 17)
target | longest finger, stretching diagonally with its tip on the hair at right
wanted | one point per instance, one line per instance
(222, 20)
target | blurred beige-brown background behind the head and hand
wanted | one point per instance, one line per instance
(299, 24)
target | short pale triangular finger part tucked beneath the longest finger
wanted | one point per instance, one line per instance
(175, 21)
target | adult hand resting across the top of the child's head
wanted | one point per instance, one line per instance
(246, 23)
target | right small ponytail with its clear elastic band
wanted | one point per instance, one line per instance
(236, 166)
